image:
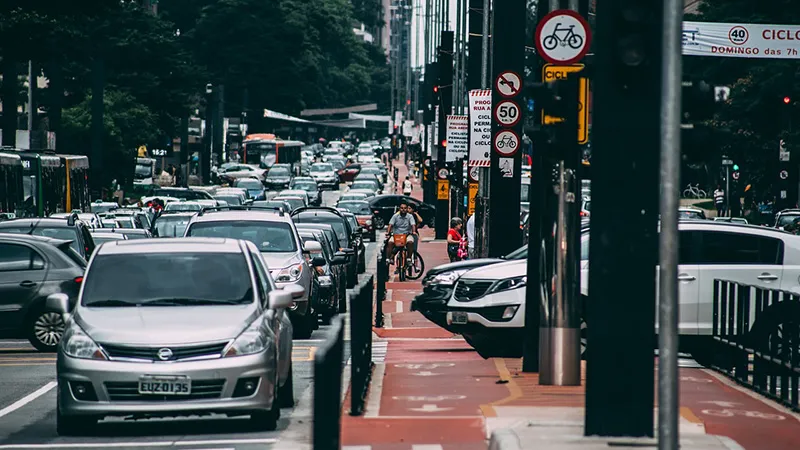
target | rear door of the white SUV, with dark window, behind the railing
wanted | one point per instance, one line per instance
(743, 257)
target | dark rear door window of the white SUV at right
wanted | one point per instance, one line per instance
(740, 248)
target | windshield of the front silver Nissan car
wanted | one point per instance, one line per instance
(171, 279)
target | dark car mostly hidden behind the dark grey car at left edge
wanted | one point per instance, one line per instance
(70, 229)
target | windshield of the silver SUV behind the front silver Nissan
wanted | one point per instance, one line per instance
(270, 237)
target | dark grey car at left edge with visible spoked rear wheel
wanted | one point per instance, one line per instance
(32, 268)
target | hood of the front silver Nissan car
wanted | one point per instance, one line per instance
(165, 325)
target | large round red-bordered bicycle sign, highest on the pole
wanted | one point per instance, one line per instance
(563, 37)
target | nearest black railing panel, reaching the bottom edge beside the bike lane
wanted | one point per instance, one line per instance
(328, 361)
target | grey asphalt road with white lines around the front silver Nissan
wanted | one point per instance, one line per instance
(28, 401)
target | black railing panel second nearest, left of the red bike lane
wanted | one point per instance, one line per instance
(360, 342)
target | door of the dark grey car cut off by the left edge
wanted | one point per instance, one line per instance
(22, 274)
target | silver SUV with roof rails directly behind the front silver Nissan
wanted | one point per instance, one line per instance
(276, 237)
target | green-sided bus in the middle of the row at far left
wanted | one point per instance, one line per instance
(42, 183)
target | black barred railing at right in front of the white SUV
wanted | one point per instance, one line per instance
(756, 334)
